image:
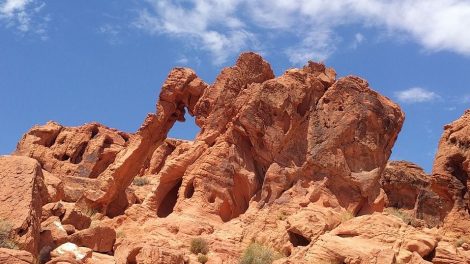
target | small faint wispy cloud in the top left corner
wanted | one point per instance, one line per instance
(22, 15)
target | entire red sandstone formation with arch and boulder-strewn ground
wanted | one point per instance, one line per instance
(294, 167)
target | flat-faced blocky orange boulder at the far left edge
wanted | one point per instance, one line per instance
(21, 187)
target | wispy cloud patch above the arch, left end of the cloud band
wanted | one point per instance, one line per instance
(209, 25)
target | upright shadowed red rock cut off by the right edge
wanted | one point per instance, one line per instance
(451, 167)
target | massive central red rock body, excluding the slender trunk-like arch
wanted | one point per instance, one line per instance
(273, 132)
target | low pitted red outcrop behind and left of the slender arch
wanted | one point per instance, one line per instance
(84, 151)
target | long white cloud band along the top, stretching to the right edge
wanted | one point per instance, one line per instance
(226, 27)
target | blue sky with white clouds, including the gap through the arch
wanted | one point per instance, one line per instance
(76, 62)
